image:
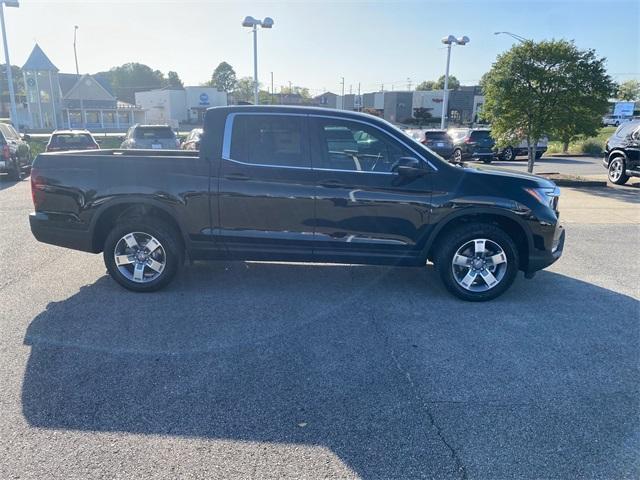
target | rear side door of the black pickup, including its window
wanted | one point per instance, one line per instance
(266, 186)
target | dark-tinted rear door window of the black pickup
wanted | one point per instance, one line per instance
(273, 140)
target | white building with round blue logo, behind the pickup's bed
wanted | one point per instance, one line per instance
(179, 106)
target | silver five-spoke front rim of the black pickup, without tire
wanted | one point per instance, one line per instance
(479, 265)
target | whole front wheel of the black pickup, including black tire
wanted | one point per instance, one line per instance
(461, 244)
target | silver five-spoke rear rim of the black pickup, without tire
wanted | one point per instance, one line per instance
(140, 257)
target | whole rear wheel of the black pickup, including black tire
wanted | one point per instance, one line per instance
(139, 269)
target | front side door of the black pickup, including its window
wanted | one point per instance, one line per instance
(363, 208)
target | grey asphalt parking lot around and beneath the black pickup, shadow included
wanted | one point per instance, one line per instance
(264, 370)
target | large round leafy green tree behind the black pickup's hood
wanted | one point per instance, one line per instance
(538, 88)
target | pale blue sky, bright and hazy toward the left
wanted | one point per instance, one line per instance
(315, 44)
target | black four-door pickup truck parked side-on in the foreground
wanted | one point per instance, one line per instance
(297, 184)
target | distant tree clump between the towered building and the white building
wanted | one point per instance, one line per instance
(130, 78)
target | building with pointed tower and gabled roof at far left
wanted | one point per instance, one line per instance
(66, 100)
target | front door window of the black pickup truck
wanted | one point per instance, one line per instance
(354, 146)
